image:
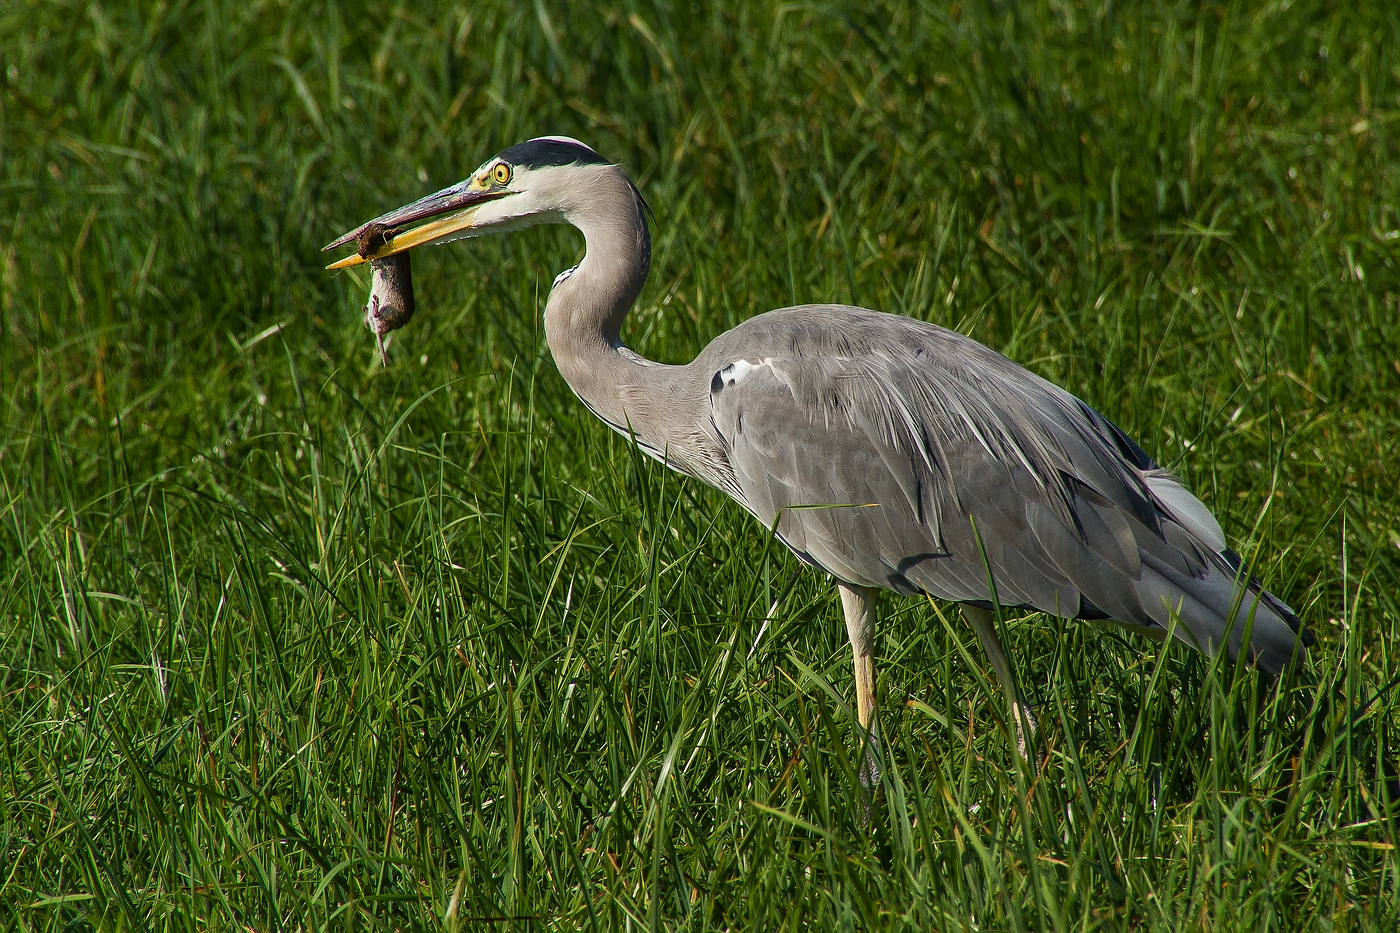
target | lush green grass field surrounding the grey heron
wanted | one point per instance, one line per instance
(295, 641)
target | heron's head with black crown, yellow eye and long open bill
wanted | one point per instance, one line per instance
(540, 181)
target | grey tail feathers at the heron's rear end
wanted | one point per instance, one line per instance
(1203, 604)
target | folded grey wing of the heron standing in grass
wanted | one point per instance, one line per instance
(877, 443)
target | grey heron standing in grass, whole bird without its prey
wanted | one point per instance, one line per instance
(891, 453)
